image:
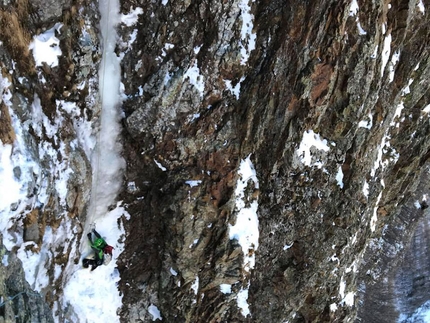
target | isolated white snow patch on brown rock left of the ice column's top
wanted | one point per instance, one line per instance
(46, 47)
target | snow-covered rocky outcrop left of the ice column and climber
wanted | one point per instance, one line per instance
(49, 105)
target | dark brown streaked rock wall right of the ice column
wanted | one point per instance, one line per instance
(323, 66)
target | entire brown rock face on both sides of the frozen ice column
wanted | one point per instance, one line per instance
(328, 99)
